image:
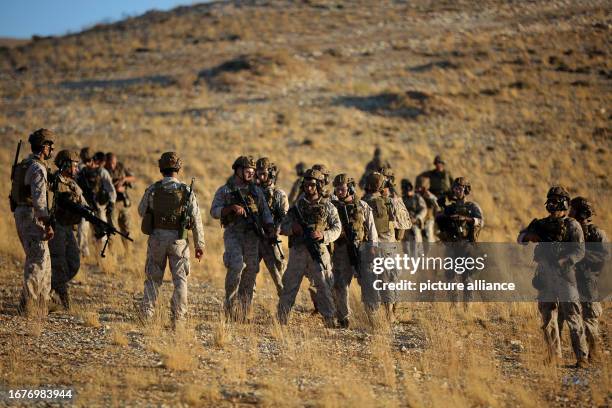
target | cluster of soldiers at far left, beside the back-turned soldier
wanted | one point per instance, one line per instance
(55, 234)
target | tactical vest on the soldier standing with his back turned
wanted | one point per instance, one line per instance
(167, 205)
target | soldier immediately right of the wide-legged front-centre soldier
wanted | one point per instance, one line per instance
(357, 227)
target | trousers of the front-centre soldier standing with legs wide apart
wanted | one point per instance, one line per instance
(321, 277)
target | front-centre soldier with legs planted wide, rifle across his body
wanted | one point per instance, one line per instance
(312, 223)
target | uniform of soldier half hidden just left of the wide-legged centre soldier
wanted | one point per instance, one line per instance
(278, 204)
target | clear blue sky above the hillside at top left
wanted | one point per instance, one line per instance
(24, 18)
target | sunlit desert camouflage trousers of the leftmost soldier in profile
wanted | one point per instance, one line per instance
(37, 265)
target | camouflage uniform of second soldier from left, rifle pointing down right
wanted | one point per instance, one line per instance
(65, 255)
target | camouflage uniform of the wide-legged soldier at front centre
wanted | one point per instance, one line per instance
(322, 216)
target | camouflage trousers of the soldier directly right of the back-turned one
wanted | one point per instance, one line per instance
(241, 260)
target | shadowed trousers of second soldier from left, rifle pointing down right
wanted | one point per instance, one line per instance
(65, 257)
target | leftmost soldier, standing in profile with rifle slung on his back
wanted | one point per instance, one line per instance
(29, 202)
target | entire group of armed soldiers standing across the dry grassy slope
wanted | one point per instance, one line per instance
(328, 226)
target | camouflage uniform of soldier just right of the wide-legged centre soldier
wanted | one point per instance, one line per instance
(362, 221)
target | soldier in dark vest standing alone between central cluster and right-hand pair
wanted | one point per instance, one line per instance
(460, 222)
